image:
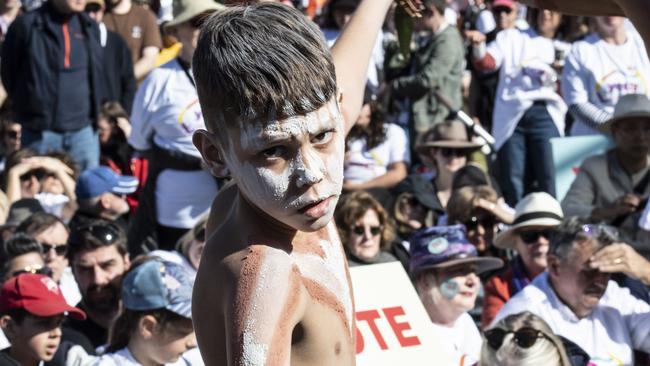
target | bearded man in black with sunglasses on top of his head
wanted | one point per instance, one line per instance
(98, 257)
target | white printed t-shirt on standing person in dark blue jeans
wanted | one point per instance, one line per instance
(525, 76)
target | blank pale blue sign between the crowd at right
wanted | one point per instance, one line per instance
(568, 155)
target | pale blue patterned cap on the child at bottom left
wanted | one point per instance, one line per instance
(155, 285)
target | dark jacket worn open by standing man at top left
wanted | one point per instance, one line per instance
(31, 57)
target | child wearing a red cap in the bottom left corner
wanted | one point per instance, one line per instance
(32, 309)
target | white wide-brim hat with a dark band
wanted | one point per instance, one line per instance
(536, 209)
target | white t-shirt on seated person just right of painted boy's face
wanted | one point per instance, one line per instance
(362, 165)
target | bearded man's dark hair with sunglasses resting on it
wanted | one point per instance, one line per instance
(96, 234)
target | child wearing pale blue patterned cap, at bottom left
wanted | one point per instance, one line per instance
(155, 325)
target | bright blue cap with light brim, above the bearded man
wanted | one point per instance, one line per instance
(97, 181)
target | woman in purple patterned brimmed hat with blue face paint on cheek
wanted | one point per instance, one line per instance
(445, 267)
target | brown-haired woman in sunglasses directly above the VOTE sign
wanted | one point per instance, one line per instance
(365, 230)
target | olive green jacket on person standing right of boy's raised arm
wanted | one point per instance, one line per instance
(437, 65)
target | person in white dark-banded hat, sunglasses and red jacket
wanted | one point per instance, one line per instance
(536, 215)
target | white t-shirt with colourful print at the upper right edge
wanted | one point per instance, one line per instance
(600, 73)
